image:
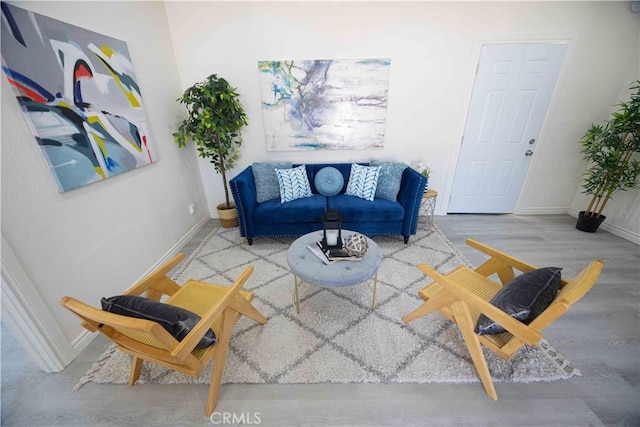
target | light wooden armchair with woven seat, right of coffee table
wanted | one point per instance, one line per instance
(464, 293)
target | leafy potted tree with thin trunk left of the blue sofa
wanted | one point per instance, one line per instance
(215, 117)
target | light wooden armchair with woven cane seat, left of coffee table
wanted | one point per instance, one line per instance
(218, 306)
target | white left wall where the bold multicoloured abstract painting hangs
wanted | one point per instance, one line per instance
(97, 240)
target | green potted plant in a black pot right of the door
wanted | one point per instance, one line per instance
(611, 151)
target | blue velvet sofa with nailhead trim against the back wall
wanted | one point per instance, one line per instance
(271, 218)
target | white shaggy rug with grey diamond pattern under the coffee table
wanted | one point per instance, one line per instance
(337, 338)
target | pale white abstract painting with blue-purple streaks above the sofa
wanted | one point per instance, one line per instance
(324, 104)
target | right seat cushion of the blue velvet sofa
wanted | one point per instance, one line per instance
(356, 209)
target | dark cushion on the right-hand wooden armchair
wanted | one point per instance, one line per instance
(524, 298)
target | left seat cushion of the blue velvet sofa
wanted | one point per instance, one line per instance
(308, 209)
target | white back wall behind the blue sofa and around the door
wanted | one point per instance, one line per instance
(434, 47)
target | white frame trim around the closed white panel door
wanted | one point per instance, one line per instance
(464, 113)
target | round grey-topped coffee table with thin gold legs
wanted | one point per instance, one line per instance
(307, 267)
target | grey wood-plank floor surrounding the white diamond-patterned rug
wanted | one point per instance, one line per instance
(600, 335)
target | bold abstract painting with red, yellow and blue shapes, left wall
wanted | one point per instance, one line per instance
(80, 96)
